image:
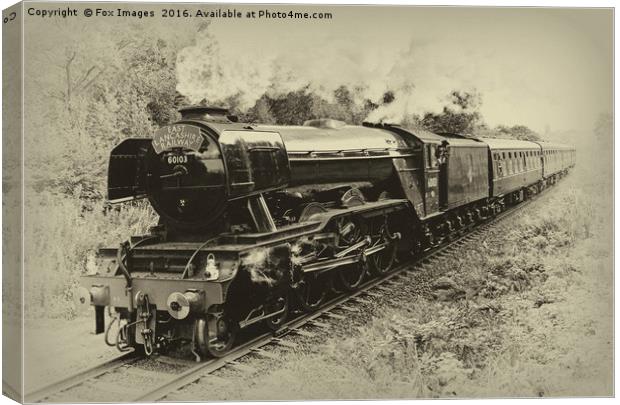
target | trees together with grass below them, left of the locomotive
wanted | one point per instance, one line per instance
(90, 95)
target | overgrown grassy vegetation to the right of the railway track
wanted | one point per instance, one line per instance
(530, 315)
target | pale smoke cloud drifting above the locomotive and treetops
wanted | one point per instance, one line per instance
(420, 74)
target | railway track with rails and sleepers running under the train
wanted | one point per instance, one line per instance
(178, 373)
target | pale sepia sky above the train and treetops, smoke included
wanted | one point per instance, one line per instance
(545, 68)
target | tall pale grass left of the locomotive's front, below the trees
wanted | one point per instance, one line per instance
(60, 236)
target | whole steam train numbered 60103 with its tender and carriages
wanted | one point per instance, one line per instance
(256, 219)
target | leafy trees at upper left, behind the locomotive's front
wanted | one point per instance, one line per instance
(100, 88)
